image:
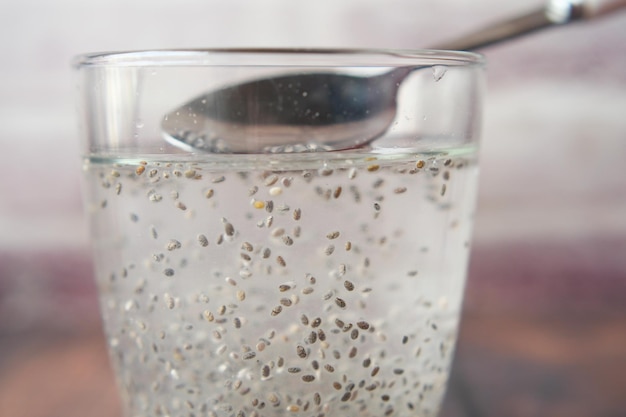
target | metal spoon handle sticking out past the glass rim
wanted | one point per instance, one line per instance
(555, 12)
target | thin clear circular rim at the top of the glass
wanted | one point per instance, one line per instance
(278, 57)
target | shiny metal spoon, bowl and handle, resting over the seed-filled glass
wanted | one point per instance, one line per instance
(328, 111)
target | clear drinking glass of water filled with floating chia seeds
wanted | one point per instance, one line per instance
(283, 283)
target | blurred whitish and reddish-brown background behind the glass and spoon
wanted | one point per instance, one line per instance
(544, 331)
